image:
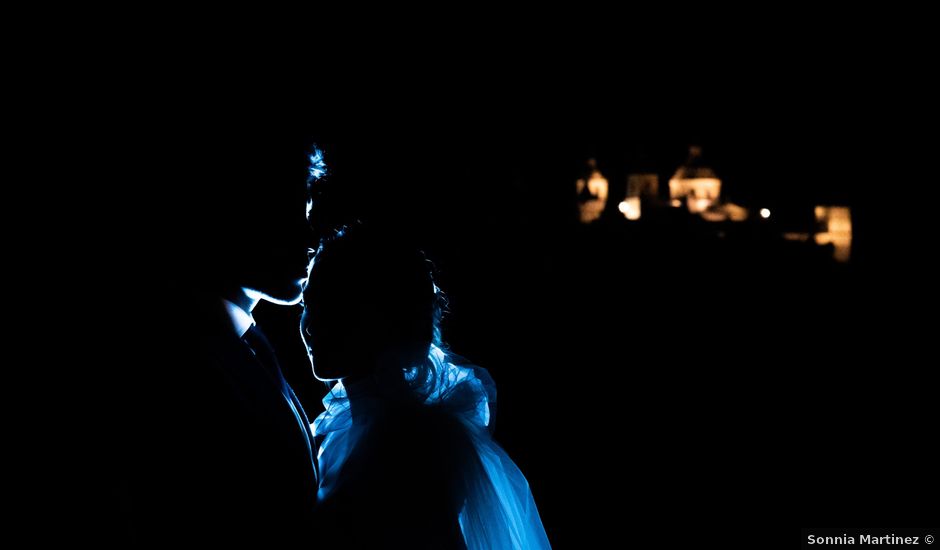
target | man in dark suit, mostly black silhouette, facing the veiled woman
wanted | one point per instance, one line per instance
(222, 452)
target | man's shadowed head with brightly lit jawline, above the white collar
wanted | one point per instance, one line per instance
(234, 187)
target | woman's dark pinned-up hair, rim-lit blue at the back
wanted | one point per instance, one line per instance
(366, 272)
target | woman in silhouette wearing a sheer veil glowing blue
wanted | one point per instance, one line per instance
(406, 456)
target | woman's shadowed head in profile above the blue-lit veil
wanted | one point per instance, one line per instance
(371, 306)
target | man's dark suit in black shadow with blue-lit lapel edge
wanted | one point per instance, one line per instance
(228, 449)
